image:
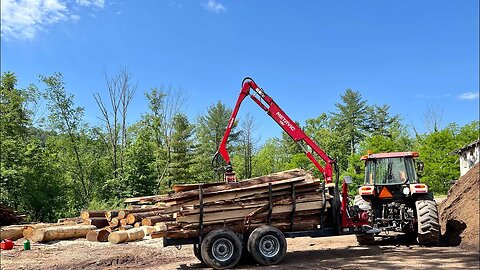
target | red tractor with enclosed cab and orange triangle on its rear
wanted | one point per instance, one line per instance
(396, 200)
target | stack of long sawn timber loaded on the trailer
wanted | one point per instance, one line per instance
(289, 200)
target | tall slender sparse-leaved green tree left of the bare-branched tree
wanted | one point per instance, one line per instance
(76, 152)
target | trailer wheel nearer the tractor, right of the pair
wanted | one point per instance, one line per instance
(267, 245)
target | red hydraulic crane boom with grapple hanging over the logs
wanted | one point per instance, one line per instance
(289, 126)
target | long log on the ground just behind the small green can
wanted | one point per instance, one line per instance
(61, 232)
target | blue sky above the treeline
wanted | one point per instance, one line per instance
(408, 54)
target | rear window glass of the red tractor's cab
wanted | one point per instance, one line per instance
(386, 171)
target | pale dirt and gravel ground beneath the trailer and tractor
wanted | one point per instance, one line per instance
(341, 252)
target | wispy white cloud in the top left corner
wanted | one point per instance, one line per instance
(24, 19)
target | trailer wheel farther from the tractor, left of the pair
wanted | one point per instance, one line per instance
(221, 249)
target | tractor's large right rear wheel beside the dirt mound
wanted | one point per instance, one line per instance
(428, 232)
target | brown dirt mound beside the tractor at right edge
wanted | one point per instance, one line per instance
(459, 212)
